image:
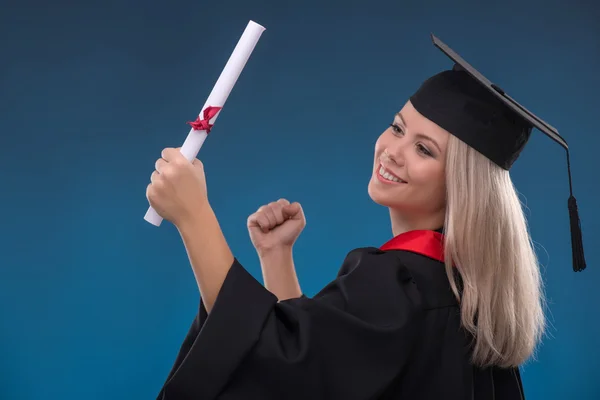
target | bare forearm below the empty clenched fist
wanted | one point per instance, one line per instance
(279, 273)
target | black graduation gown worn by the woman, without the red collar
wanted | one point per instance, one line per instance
(388, 327)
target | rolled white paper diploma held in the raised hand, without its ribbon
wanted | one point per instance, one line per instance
(217, 97)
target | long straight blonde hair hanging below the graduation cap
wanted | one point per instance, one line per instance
(487, 239)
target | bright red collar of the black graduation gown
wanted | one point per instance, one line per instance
(424, 242)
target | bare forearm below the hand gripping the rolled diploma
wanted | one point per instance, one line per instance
(208, 252)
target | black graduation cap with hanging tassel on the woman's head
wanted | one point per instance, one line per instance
(481, 114)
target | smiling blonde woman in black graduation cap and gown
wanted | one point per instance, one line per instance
(448, 308)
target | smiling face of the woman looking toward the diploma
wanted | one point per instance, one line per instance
(409, 166)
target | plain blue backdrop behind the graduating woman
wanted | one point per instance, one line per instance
(94, 301)
